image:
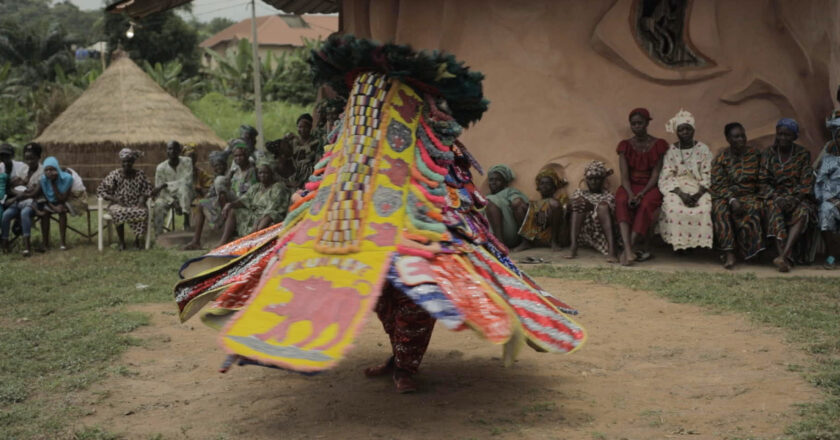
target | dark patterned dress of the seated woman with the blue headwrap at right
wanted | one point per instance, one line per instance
(791, 183)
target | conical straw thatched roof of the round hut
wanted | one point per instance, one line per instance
(126, 107)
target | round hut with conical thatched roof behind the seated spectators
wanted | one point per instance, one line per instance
(123, 108)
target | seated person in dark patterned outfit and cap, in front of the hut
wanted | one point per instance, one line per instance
(126, 191)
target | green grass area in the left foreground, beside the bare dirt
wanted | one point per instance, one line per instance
(64, 321)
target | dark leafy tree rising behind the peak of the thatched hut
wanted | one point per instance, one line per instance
(158, 38)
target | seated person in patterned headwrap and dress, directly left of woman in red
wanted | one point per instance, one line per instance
(592, 213)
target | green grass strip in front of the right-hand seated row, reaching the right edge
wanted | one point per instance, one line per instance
(807, 308)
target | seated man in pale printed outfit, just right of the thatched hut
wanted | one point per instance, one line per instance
(173, 186)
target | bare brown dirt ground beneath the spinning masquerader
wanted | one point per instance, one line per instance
(650, 370)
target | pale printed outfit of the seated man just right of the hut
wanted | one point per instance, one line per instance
(178, 189)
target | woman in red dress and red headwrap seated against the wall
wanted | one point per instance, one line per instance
(638, 199)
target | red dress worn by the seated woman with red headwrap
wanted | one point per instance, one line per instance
(640, 165)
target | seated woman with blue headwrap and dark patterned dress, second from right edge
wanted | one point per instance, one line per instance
(787, 184)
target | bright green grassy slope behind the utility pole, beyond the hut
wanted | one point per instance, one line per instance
(224, 115)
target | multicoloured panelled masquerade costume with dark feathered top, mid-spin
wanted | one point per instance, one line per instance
(390, 221)
